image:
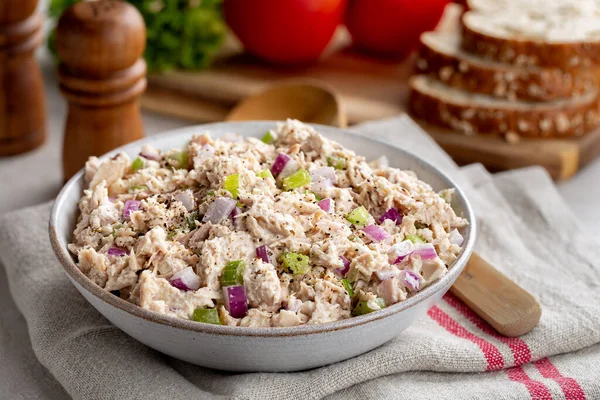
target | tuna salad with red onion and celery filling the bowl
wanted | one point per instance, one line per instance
(286, 230)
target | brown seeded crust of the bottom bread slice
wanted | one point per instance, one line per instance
(576, 118)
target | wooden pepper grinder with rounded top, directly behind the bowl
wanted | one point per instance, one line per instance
(102, 75)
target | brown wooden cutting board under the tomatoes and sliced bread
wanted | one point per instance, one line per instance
(369, 90)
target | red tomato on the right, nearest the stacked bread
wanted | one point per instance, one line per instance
(391, 27)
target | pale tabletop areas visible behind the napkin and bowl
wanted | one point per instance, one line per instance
(35, 177)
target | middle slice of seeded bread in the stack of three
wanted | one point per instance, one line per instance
(442, 57)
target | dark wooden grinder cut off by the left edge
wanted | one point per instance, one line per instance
(22, 108)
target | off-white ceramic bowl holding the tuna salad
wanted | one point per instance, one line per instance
(259, 349)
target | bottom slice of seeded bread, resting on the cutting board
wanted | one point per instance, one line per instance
(469, 113)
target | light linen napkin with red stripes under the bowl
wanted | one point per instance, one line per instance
(525, 230)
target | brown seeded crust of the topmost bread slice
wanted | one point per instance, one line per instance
(529, 52)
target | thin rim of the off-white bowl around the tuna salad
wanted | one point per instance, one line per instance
(75, 274)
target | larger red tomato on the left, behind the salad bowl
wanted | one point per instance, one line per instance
(284, 31)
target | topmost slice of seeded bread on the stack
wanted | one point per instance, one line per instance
(533, 38)
